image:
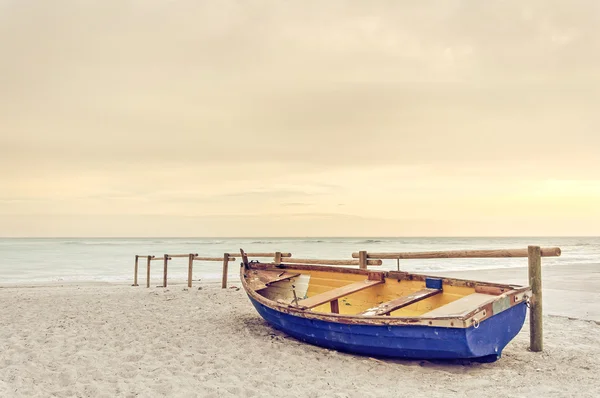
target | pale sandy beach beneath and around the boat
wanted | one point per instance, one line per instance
(115, 340)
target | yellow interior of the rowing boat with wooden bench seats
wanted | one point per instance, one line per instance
(371, 293)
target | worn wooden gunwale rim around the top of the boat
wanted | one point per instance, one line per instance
(515, 296)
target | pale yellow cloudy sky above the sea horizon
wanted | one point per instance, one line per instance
(299, 118)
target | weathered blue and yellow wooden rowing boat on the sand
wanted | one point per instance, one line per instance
(387, 313)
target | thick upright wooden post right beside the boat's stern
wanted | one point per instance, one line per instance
(535, 311)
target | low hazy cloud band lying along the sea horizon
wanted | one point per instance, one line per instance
(282, 225)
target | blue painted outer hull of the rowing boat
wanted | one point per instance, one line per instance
(483, 344)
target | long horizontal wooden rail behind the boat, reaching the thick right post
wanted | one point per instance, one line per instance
(546, 252)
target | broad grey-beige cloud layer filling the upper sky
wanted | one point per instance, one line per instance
(343, 84)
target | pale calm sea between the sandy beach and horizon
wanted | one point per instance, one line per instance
(41, 260)
